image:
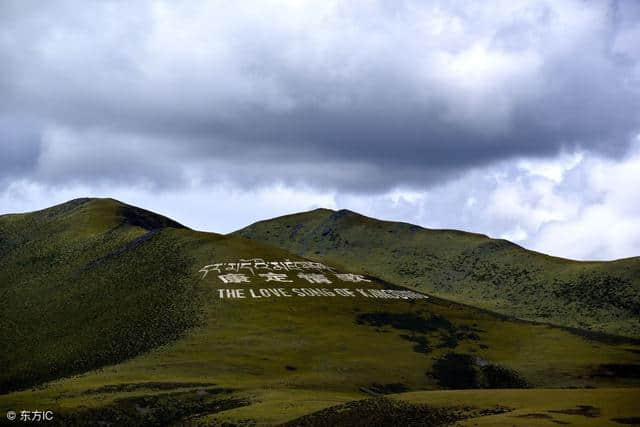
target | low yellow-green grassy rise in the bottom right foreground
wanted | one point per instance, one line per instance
(522, 408)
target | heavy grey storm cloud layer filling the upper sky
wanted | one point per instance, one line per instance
(347, 94)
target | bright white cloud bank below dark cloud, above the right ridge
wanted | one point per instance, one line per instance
(576, 206)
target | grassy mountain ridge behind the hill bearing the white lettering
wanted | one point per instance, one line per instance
(467, 268)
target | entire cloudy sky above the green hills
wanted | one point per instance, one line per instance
(519, 120)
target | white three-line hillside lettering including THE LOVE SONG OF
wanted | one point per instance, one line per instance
(287, 273)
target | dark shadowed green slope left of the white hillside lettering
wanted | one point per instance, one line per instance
(81, 282)
